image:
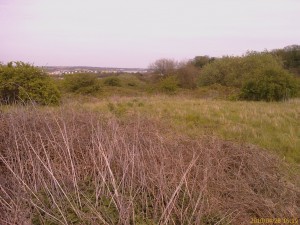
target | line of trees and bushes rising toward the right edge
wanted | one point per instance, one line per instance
(268, 76)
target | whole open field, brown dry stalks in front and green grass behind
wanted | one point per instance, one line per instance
(153, 159)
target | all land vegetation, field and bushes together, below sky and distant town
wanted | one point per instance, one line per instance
(207, 141)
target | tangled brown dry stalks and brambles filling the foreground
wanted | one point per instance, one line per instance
(67, 167)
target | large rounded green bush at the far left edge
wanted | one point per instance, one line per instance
(21, 82)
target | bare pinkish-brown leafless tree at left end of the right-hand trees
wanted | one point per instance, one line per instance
(164, 67)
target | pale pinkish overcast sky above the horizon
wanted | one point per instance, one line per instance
(134, 33)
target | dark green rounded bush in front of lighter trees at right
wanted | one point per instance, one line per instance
(270, 85)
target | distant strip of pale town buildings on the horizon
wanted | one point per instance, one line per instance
(60, 71)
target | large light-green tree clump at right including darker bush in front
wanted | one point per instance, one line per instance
(260, 76)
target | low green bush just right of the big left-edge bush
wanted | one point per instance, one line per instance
(81, 83)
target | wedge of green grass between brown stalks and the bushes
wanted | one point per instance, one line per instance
(274, 126)
